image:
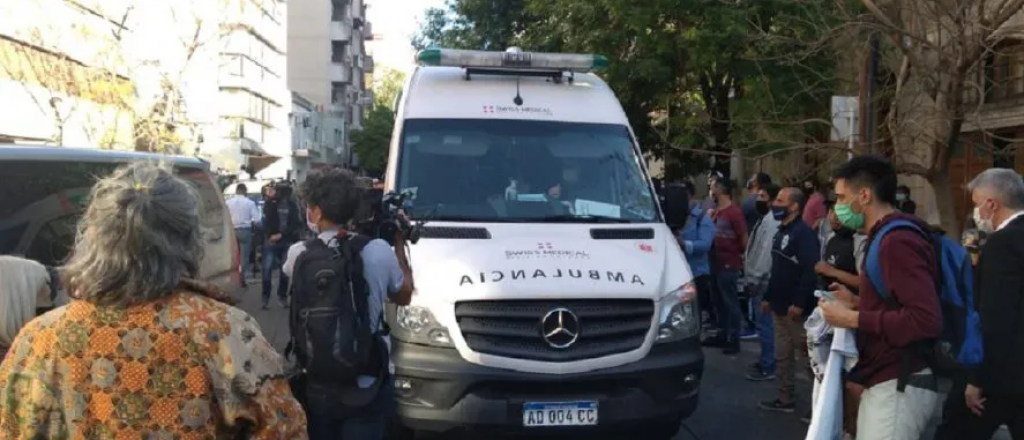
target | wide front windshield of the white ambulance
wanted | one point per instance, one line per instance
(503, 170)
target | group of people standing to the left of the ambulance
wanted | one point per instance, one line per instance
(143, 348)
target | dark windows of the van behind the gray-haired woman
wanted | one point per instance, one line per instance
(45, 200)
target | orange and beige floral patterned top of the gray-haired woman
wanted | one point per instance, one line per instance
(187, 367)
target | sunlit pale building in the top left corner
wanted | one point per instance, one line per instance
(61, 83)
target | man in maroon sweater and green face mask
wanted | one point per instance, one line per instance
(891, 337)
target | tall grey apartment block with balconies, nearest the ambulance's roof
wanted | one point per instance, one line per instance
(328, 62)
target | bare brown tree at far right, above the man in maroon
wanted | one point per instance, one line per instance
(935, 57)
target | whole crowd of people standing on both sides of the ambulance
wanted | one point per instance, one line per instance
(142, 347)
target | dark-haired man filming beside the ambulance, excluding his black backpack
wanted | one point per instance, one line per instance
(333, 198)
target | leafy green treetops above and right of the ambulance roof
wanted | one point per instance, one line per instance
(717, 75)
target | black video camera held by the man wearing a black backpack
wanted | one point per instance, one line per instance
(380, 217)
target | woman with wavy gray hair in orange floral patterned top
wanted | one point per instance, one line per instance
(144, 350)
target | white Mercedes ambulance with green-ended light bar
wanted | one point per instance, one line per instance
(551, 296)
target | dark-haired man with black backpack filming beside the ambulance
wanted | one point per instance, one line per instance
(339, 338)
